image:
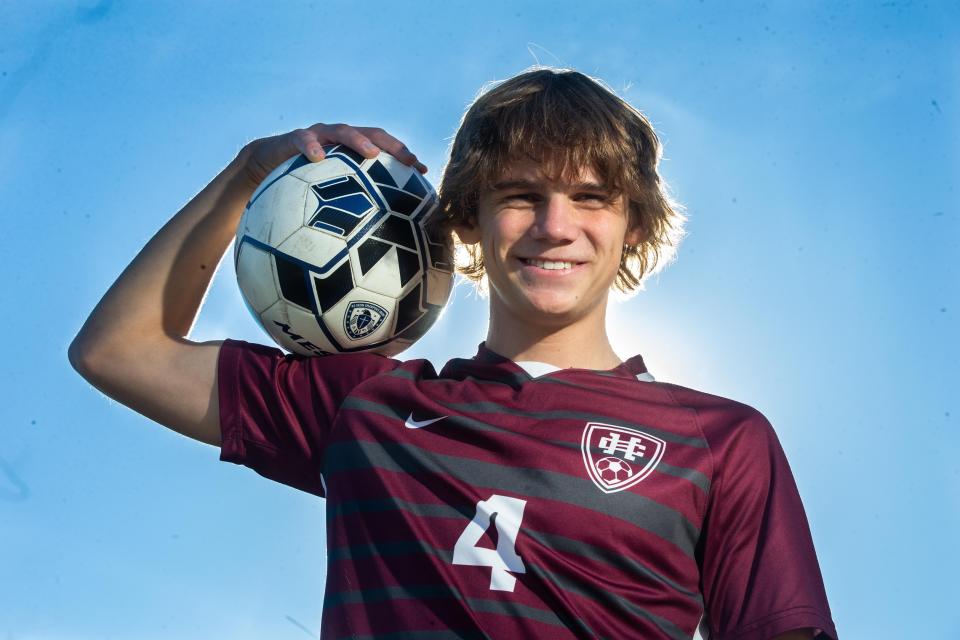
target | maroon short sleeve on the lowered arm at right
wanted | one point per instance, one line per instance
(760, 576)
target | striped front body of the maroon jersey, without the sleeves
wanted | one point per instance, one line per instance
(417, 463)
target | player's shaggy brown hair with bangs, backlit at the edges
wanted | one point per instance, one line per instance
(564, 120)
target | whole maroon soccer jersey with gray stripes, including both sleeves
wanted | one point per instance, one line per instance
(486, 503)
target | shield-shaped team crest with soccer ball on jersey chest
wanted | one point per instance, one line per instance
(617, 457)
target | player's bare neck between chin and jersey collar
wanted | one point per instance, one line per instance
(582, 344)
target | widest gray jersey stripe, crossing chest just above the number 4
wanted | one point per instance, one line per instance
(658, 519)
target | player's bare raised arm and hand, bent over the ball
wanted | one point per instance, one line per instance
(134, 345)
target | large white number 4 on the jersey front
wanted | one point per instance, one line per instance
(509, 513)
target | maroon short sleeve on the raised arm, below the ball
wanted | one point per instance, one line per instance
(277, 409)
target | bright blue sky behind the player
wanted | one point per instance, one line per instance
(815, 146)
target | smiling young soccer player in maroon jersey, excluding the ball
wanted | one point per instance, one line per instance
(542, 488)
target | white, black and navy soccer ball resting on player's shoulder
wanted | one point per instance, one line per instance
(337, 256)
